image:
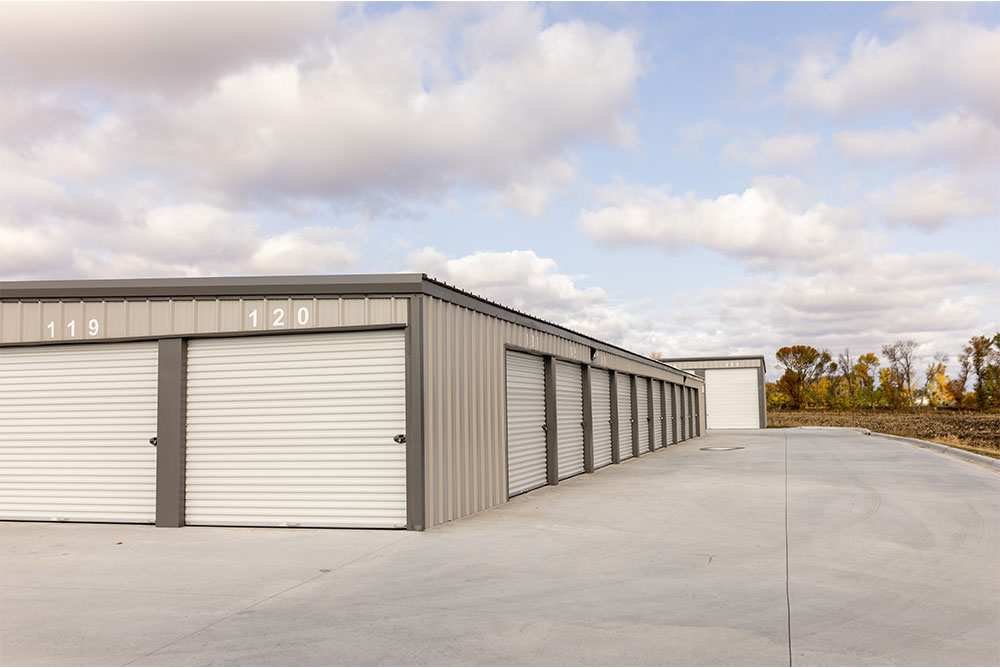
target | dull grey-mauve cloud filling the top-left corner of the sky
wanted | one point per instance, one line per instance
(167, 47)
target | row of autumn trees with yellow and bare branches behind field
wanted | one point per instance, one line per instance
(813, 378)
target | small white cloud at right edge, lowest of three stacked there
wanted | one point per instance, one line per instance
(928, 201)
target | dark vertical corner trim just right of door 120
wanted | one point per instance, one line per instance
(416, 500)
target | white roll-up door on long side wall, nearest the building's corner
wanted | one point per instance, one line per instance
(526, 453)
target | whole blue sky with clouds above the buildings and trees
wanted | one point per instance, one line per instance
(686, 178)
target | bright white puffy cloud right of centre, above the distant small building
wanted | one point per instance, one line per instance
(757, 226)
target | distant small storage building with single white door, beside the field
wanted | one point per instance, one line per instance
(735, 396)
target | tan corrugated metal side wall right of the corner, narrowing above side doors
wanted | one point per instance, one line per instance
(464, 398)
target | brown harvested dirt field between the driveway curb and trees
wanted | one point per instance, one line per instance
(978, 432)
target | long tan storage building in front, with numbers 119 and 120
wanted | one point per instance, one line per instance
(376, 401)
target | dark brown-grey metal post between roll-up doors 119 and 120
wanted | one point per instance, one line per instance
(171, 431)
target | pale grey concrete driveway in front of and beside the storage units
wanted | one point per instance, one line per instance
(815, 547)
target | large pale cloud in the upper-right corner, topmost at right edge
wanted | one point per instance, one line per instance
(931, 66)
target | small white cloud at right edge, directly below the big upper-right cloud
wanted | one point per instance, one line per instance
(959, 137)
